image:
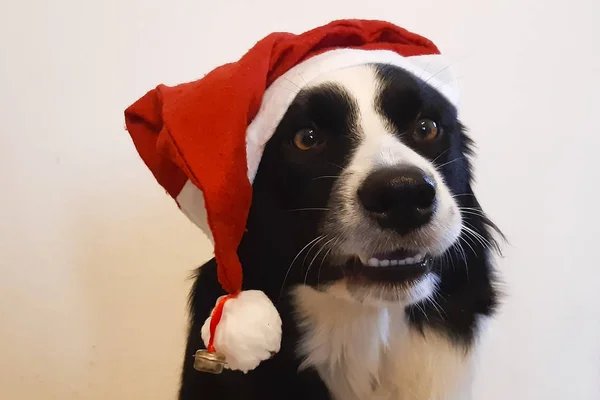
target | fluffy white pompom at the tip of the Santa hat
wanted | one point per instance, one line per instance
(249, 330)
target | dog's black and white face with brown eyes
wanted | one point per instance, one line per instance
(362, 182)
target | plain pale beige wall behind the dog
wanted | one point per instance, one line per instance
(95, 258)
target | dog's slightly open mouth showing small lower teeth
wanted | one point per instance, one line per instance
(401, 266)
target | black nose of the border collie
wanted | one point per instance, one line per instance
(402, 199)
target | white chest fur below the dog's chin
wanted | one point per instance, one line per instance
(369, 353)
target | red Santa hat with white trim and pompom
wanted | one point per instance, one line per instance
(203, 141)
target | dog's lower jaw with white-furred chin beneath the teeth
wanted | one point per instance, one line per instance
(385, 285)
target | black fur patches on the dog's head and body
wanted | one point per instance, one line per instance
(290, 191)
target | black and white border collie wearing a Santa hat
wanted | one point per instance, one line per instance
(366, 234)
